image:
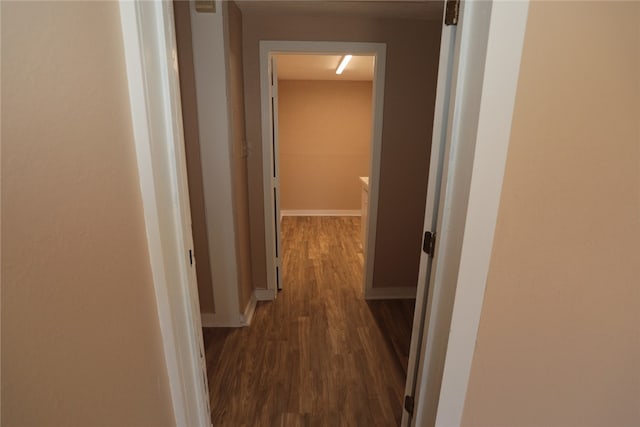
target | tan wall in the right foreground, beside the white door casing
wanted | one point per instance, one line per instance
(559, 337)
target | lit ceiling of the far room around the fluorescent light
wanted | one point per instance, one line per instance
(323, 67)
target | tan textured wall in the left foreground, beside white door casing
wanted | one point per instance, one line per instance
(81, 342)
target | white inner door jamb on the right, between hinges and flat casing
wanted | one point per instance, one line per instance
(466, 92)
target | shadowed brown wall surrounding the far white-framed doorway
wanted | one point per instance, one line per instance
(411, 72)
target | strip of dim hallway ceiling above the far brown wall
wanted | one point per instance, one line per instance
(418, 9)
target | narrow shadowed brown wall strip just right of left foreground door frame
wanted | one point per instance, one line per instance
(182, 18)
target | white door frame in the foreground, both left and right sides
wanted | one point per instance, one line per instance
(149, 27)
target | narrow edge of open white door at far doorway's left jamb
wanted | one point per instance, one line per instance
(275, 182)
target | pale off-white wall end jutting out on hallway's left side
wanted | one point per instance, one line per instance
(214, 121)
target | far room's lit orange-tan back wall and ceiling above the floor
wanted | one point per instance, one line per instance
(324, 128)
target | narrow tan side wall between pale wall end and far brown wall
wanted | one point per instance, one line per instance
(233, 36)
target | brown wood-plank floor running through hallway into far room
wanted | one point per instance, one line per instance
(319, 355)
